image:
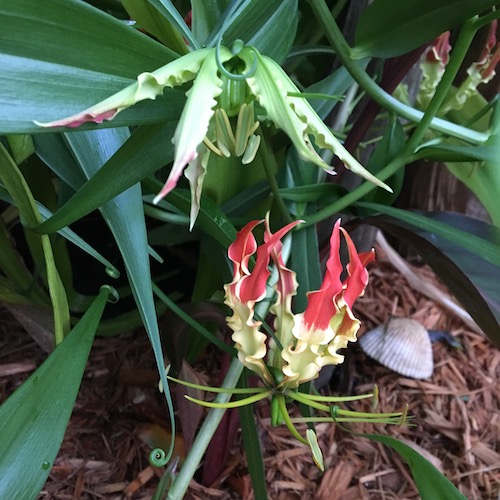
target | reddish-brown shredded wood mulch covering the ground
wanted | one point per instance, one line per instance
(456, 416)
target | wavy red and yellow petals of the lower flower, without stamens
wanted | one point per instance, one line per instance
(303, 342)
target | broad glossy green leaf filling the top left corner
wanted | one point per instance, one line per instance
(62, 56)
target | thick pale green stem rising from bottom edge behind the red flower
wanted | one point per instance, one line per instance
(204, 436)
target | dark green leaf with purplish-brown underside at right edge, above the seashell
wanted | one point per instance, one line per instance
(442, 240)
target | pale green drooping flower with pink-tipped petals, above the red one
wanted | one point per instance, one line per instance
(216, 91)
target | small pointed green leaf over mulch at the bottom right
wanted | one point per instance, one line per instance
(431, 484)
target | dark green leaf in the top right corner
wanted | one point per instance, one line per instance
(388, 28)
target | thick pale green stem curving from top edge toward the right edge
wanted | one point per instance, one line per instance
(335, 37)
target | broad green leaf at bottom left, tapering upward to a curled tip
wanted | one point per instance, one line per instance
(33, 419)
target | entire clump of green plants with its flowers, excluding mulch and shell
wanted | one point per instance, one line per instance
(182, 122)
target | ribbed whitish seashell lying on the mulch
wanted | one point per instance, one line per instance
(403, 345)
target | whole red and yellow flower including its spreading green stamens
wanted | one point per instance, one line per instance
(301, 343)
